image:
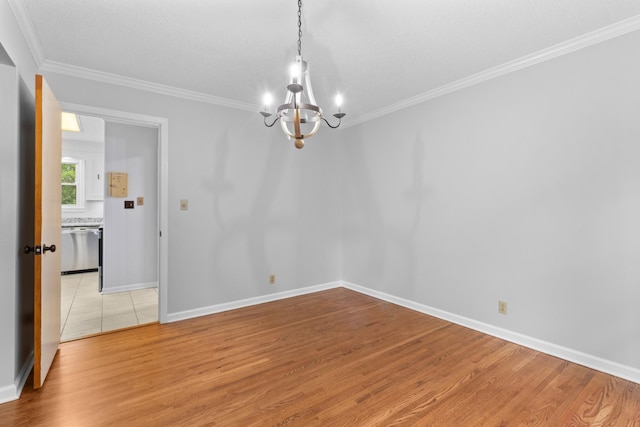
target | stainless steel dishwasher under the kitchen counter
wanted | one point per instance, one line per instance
(79, 247)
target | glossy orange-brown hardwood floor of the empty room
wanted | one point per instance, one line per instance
(334, 358)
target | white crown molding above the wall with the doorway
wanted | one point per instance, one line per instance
(115, 79)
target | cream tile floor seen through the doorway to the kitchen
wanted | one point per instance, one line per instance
(84, 311)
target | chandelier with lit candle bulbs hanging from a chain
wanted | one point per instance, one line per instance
(300, 116)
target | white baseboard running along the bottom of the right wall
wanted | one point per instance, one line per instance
(571, 355)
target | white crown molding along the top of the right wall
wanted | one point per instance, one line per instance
(586, 40)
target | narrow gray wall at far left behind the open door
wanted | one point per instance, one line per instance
(17, 139)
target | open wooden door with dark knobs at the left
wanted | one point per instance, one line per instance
(47, 225)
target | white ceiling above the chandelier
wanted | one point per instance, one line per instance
(378, 53)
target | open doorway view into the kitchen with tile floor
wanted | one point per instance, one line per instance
(108, 286)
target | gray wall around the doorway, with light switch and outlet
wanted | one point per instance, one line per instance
(257, 206)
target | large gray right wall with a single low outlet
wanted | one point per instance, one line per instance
(524, 189)
